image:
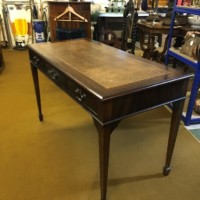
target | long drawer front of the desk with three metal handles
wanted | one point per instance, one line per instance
(77, 92)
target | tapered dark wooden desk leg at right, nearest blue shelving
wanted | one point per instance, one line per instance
(175, 121)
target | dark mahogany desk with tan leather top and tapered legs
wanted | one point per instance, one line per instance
(111, 85)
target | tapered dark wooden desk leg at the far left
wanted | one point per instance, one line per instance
(37, 90)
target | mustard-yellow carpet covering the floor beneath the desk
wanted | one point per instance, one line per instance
(58, 158)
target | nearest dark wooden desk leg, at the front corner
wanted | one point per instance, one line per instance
(104, 133)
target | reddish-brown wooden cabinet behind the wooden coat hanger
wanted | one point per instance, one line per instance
(56, 8)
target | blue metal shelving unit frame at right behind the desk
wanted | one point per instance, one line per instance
(188, 118)
